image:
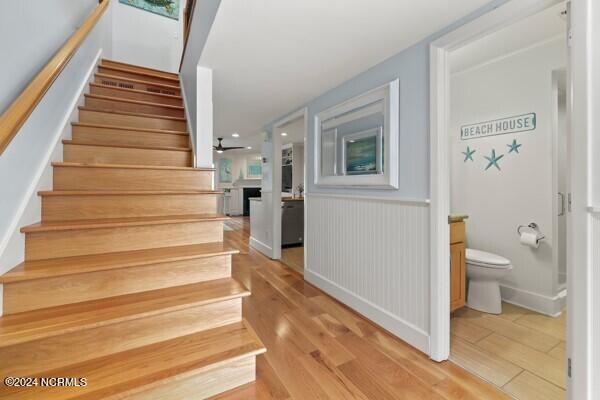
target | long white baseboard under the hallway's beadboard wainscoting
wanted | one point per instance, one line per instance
(397, 326)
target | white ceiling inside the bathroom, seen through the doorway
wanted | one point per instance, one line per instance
(527, 32)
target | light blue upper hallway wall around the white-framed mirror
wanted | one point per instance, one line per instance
(411, 67)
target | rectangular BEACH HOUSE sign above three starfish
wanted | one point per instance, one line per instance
(503, 126)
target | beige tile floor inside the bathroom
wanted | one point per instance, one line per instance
(520, 351)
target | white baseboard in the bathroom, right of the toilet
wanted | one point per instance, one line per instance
(552, 306)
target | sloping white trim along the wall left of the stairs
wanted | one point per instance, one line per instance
(31, 191)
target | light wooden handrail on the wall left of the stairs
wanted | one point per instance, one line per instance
(21, 108)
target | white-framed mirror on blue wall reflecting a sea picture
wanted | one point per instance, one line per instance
(357, 141)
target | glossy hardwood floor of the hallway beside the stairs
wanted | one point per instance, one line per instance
(319, 349)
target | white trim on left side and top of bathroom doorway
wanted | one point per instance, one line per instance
(439, 155)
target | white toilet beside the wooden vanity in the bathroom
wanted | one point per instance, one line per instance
(484, 270)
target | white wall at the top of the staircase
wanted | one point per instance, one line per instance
(144, 38)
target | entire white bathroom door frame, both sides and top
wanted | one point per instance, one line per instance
(580, 317)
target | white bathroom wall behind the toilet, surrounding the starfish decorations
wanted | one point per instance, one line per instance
(522, 192)
